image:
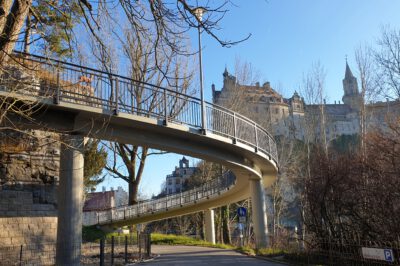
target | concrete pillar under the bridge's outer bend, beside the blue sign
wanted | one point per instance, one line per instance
(259, 214)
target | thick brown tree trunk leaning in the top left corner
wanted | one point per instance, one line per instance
(12, 27)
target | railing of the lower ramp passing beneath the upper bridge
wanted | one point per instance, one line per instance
(207, 190)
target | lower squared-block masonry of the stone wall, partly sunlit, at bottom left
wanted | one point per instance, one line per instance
(28, 230)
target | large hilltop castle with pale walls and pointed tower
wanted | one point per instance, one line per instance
(294, 118)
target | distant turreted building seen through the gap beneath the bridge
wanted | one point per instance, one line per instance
(175, 181)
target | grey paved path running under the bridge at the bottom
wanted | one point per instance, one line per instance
(193, 256)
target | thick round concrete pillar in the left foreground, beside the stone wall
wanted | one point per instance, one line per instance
(70, 200)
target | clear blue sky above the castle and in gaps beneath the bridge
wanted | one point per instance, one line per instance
(288, 36)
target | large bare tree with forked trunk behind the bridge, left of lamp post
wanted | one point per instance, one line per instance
(143, 70)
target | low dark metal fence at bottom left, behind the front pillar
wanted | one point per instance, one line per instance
(117, 250)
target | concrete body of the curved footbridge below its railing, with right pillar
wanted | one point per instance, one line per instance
(254, 170)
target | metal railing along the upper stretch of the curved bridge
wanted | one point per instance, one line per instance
(66, 82)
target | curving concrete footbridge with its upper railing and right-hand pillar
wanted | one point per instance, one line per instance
(85, 102)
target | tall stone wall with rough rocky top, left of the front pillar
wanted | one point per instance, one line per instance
(29, 170)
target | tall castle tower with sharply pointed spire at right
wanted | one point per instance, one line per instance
(351, 95)
